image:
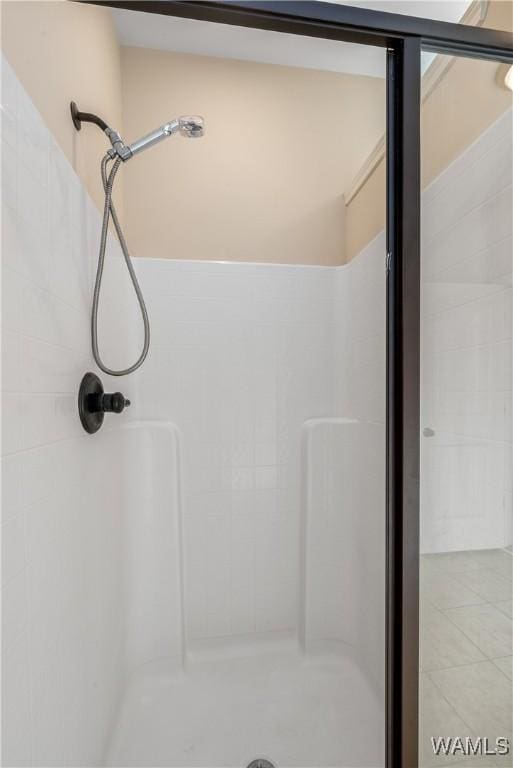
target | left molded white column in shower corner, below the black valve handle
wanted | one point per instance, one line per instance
(153, 557)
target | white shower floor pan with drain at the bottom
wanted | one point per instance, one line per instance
(223, 711)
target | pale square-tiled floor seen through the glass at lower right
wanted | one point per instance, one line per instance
(466, 651)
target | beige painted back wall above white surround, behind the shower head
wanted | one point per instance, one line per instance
(266, 181)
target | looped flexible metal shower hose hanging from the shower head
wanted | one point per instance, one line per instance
(110, 211)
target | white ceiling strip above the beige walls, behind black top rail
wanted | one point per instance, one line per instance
(169, 33)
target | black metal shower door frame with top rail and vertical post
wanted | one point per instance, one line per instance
(403, 37)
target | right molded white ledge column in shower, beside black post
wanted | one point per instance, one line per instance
(344, 542)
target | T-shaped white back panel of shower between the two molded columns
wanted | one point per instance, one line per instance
(241, 355)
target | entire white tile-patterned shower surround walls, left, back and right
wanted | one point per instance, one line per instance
(181, 526)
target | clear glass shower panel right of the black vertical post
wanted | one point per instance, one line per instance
(466, 414)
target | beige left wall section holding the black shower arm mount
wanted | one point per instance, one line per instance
(63, 51)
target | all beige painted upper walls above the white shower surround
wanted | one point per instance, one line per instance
(266, 182)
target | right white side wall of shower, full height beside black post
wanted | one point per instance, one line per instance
(352, 496)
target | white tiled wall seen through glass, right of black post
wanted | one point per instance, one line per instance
(467, 332)
